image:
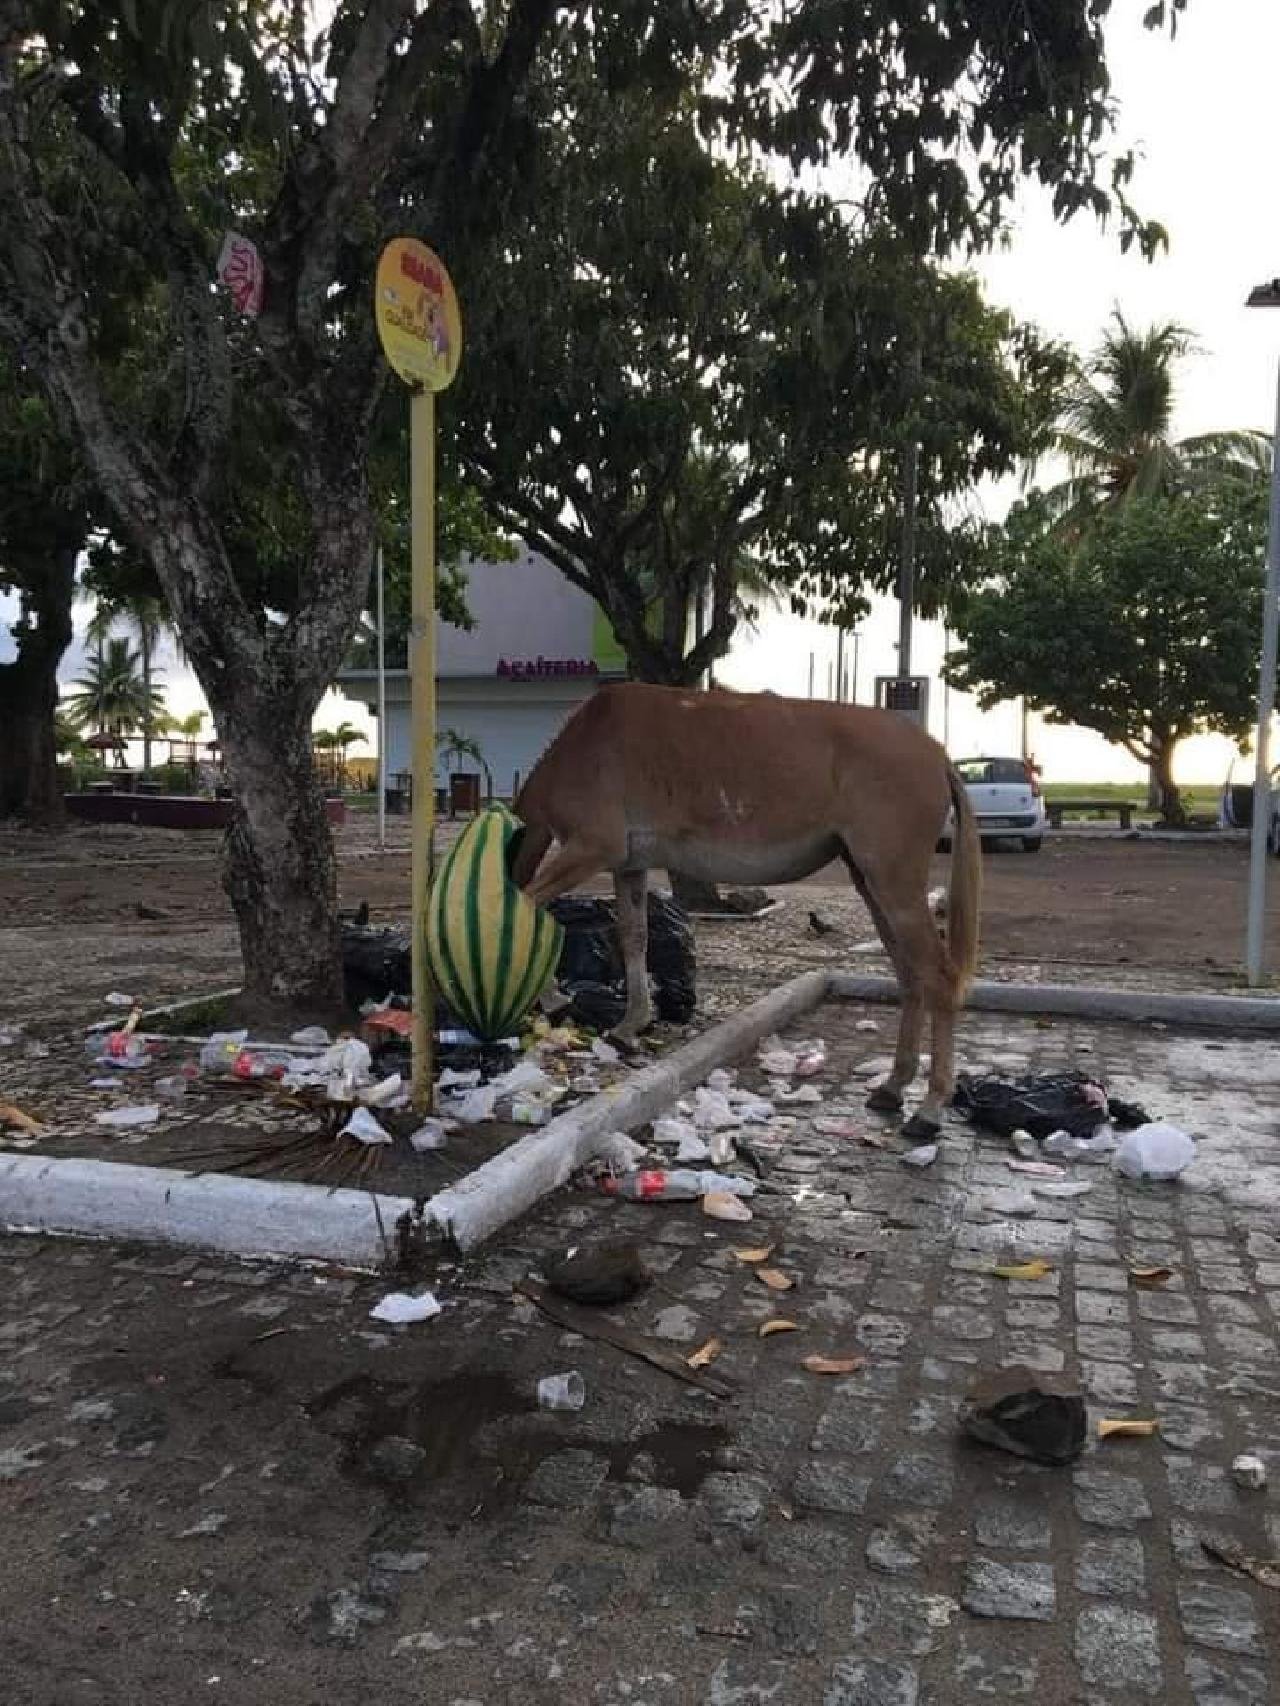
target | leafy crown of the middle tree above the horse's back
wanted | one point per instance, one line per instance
(684, 378)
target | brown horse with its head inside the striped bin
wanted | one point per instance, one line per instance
(736, 787)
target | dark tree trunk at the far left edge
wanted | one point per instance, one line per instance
(30, 786)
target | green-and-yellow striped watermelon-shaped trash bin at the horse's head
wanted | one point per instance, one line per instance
(491, 949)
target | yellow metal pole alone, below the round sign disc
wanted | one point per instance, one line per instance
(422, 722)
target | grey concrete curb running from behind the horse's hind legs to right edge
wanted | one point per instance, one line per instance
(1213, 1013)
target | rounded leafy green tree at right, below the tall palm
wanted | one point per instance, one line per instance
(1146, 630)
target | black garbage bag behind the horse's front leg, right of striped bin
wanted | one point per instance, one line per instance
(591, 961)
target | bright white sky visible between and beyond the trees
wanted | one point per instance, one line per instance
(1201, 113)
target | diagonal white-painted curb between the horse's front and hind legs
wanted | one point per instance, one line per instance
(511, 1183)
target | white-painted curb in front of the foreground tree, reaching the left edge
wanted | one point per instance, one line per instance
(207, 1212)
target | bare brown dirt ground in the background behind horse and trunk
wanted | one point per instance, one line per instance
(143, 912)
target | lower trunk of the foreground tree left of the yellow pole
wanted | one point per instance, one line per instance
(281, 869)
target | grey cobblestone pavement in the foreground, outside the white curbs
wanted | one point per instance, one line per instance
(230, 1483)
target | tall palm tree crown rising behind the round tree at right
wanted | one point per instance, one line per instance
(1117, 429)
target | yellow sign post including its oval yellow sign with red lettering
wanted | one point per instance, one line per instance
(422, 339)
